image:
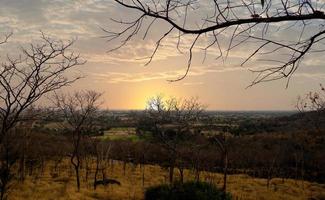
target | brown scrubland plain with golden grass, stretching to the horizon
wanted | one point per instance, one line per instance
(257, 149)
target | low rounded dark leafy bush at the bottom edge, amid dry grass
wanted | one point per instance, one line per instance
(186, 191)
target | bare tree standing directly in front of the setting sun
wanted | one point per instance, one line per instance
(174, 121)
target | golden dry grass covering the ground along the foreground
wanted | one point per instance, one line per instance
(240, 186)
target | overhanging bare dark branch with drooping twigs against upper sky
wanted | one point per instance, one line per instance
(253, 23)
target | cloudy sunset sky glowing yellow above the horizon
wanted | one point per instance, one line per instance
(122, 76)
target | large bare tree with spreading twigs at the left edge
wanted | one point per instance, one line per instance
(39, 69)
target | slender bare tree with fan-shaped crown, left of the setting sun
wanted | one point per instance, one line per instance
(79, 111)
